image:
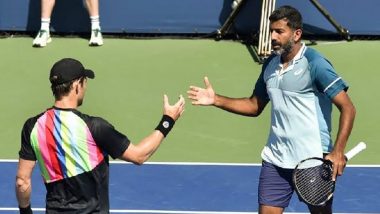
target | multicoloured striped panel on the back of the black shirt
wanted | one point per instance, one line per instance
(64, 145)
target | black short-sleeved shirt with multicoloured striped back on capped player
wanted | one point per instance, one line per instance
(72, 151)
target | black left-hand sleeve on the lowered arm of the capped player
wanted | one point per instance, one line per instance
(26, 152)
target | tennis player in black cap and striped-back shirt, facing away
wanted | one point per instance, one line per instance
(72, 148)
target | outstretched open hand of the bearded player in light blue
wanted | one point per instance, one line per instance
(202, 96)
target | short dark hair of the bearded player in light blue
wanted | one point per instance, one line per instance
(292, 15)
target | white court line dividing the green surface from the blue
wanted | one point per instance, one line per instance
(201, 163)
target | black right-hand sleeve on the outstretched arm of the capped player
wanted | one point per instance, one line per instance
(108, 138)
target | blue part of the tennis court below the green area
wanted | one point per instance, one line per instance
(200, 188)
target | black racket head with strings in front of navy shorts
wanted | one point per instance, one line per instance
(314, 184)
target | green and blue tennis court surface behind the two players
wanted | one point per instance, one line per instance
(131, 77)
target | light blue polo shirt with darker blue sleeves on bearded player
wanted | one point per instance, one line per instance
(301, 109)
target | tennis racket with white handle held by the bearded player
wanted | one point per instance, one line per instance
(312, 178)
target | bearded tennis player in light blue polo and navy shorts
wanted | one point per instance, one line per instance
(302, 86)
